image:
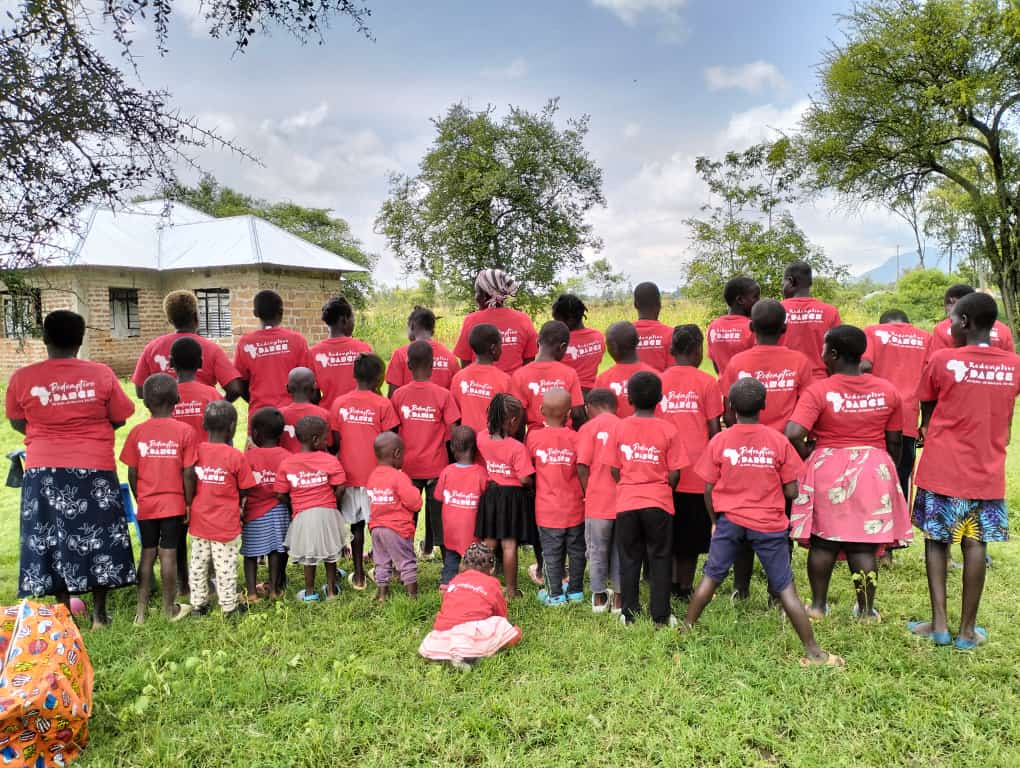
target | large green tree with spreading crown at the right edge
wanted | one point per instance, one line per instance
(922, 93)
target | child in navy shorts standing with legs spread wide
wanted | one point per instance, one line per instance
(750, 470)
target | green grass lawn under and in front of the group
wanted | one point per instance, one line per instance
(340, 684)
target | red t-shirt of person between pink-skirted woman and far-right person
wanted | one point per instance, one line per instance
(898, 352)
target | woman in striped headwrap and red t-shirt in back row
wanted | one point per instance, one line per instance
(521, 341)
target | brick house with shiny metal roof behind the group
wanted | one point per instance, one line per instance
(117, 271)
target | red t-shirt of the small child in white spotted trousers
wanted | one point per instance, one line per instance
(223, 475)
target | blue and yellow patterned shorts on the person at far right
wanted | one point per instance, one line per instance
(946, 519)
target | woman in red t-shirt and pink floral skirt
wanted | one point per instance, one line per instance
(850, 502)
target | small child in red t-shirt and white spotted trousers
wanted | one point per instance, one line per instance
(224, 480)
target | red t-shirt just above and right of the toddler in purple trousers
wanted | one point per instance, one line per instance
(427, 412)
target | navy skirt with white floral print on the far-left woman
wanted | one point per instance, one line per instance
(74, 533)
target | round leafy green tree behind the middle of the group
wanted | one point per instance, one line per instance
(509, 194)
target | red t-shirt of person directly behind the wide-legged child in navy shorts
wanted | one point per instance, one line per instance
(787, 375)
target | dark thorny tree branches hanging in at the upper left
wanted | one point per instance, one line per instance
(74, 129)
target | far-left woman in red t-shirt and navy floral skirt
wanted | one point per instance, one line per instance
(74, 533)
